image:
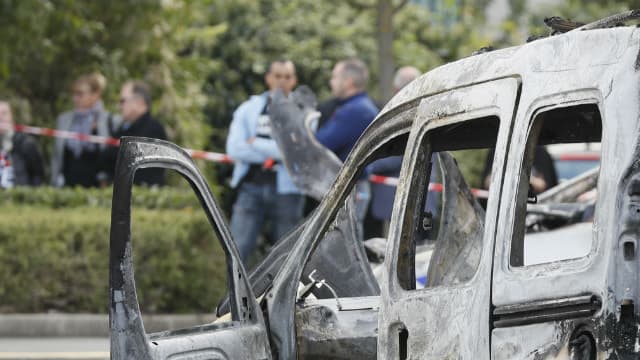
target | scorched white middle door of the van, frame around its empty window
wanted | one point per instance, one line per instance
(443, 321)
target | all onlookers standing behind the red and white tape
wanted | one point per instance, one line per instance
(265, 191)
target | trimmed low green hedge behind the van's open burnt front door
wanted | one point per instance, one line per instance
(57, 260)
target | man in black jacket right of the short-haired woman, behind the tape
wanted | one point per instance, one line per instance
(135, 107)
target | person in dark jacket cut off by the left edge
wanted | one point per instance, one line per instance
(20, 158)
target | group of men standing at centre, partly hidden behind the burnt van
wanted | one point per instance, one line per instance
(265, 191)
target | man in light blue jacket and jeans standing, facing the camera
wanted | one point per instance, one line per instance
(265, 189)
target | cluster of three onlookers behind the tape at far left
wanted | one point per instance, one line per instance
(75, 162)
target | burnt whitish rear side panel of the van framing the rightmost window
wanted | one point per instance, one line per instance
(550, 304)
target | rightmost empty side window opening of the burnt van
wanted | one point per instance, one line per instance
(555, 212)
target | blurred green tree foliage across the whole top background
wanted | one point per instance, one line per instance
(203, 58)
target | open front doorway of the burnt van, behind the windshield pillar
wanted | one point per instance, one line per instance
(340, 280)
